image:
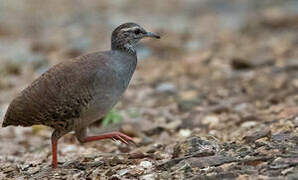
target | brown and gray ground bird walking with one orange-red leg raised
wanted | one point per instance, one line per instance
(77, 92)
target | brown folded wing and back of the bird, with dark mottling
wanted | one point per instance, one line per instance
(57, 95)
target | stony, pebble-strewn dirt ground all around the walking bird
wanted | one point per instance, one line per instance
(215, 98)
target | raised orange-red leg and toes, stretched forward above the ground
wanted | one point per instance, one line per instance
(112, 135)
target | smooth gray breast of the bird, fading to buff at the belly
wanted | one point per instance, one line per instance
(110, 84)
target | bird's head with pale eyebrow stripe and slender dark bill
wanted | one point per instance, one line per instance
(126, 36)
